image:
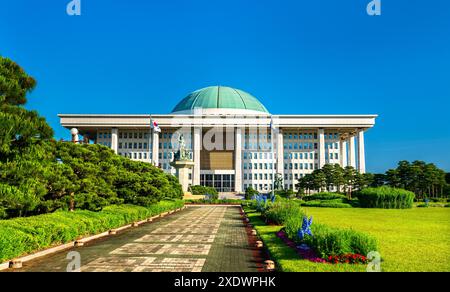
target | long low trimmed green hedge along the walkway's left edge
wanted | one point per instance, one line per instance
(20, 236)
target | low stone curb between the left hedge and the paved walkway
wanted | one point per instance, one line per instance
(17, 262)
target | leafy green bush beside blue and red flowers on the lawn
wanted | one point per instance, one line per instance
(329, 241)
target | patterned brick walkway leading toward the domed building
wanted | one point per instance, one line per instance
(206, 239)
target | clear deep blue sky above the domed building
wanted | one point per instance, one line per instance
(300, 57)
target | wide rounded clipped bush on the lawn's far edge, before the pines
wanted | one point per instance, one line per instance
(386, 198)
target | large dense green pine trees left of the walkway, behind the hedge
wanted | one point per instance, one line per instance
(39, 175)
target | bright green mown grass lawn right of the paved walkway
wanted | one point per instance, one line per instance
(409, 240)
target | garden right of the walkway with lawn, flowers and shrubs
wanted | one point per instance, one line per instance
(389, 234)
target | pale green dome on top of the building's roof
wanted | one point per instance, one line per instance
(219, 97)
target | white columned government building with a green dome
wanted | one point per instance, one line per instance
(233, 139)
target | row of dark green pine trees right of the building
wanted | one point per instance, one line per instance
(425, 180)
